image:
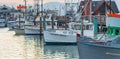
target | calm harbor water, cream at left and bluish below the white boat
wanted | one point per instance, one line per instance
(32, 47)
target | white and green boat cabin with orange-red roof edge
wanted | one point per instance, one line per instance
(113, 24)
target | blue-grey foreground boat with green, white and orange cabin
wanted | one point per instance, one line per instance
(107, 45)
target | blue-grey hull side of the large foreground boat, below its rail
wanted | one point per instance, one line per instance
(95, 52)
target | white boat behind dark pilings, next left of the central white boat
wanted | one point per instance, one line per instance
(32, 28)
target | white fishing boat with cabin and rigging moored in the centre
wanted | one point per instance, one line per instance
(74, 28)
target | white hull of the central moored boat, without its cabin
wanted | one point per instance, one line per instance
(58, 38)
